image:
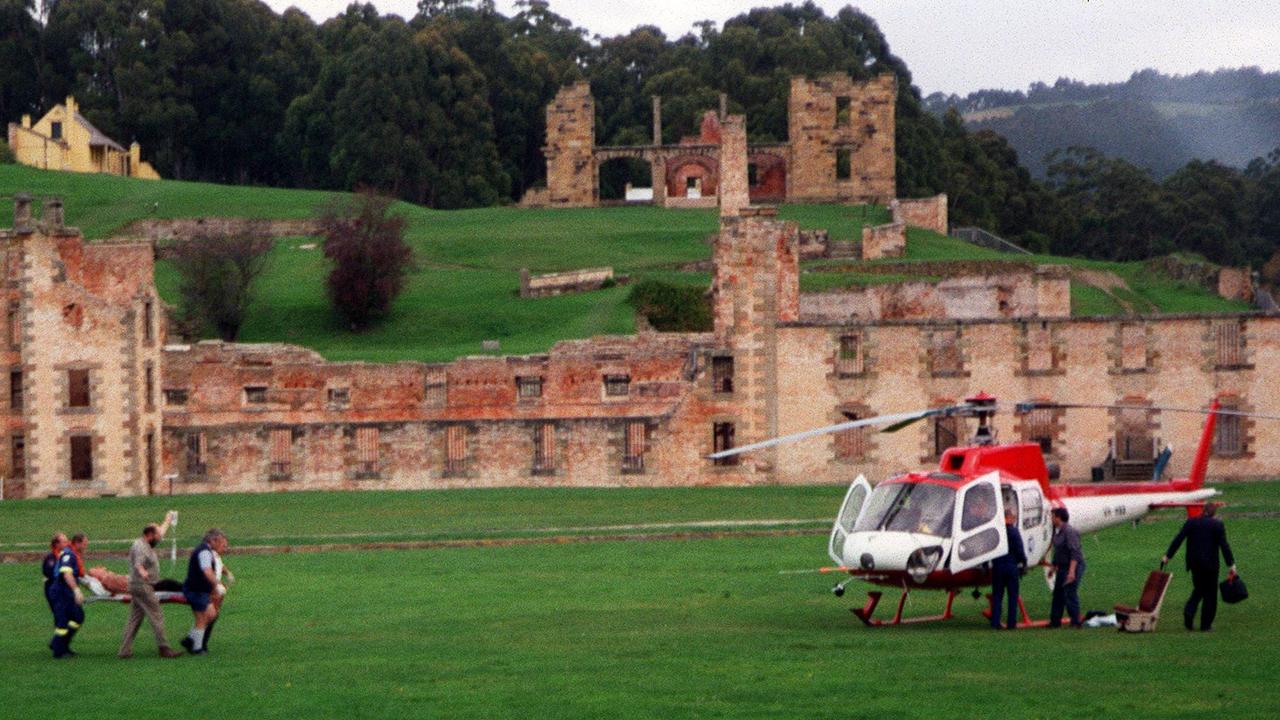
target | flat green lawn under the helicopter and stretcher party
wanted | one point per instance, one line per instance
(621, 630)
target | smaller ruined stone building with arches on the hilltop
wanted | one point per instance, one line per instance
(840, 149)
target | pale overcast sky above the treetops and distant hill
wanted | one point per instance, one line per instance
(964, 45)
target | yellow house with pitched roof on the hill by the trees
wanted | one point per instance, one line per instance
(63, 140)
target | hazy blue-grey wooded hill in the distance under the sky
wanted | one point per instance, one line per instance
(1155, 121)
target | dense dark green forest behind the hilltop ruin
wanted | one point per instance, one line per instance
(447, 108)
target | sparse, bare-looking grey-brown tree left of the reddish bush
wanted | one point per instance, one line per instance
(217, 280)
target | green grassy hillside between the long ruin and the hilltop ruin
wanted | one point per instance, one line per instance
(465, 286)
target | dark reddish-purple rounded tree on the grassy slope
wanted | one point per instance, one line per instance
(371, 257)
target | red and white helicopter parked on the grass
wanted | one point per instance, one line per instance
(939, 530)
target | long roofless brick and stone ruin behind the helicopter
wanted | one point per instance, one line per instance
(100, 405)
